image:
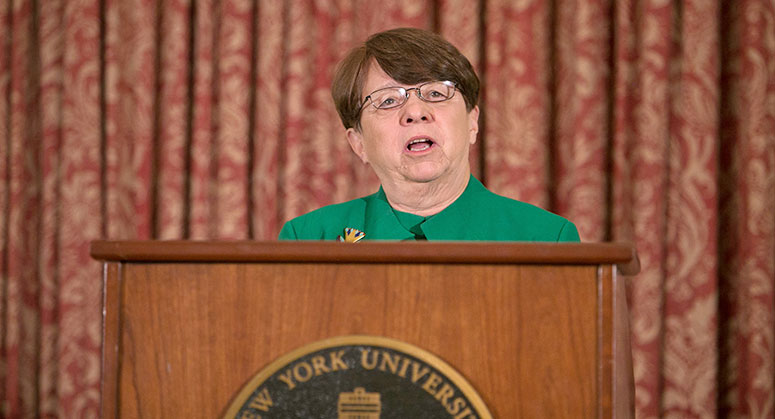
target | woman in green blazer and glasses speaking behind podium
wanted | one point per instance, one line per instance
(408, 100)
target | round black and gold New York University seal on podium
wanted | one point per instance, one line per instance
(358, 377)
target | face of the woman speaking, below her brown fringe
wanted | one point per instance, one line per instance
(419, 142)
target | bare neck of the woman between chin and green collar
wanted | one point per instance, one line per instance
(426, 199)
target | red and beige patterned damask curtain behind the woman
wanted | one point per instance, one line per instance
(649, 121)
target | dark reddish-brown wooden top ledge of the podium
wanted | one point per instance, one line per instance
(621, 254)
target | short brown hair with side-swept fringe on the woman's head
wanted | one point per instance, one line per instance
(409, 56)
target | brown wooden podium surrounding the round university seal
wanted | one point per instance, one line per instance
(539, 330)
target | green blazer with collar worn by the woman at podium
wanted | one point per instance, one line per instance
(477, 214)
